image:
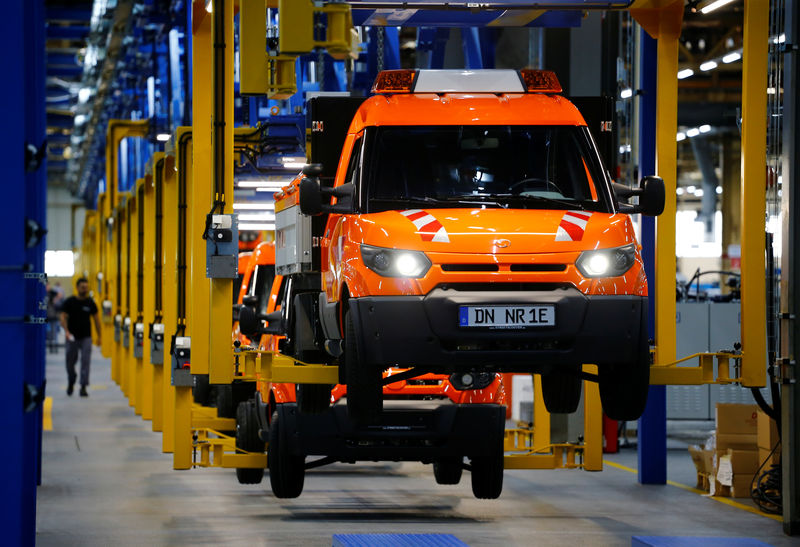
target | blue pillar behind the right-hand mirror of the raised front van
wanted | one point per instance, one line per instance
(652, 445)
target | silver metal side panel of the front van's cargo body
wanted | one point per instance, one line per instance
(293, 241)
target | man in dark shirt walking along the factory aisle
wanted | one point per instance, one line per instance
(75, 313)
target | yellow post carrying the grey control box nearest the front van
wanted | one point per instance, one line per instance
(220, 356)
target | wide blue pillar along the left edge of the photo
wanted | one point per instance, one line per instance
(22, 110)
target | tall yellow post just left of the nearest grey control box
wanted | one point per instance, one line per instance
(200, 194)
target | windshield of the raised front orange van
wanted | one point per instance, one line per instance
(509, 166)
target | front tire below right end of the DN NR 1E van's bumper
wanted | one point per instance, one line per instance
(624, 388)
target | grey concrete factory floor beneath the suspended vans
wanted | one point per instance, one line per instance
(105, 481)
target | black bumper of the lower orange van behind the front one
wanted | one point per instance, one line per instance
(424, 435)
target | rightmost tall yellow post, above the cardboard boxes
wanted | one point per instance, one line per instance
(754, 167)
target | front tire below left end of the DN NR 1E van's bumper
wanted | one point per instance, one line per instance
(364, 388)
